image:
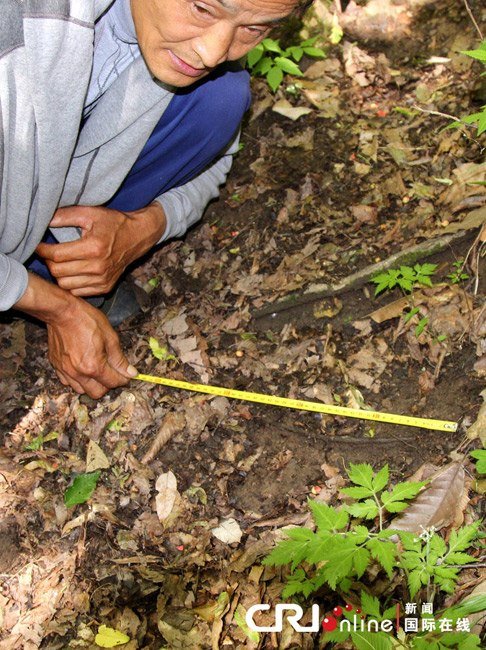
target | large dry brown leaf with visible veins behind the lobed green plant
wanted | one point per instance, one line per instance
(437, 504)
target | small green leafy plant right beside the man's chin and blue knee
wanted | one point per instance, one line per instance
(269, 60)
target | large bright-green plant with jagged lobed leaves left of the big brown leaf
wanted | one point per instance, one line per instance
(348, 546)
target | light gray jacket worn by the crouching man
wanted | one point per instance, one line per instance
(46, 50)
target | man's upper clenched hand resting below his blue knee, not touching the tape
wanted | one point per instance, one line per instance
(110, 241)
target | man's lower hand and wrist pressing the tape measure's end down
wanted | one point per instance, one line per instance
(83, 347)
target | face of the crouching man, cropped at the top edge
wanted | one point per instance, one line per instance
(183, 40)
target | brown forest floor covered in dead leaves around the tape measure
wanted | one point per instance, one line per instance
(256, 298)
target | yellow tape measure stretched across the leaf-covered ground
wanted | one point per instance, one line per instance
(302, 405)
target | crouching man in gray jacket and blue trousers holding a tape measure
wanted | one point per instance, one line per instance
(111, 116)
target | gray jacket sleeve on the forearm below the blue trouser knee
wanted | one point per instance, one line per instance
(184, 205)
